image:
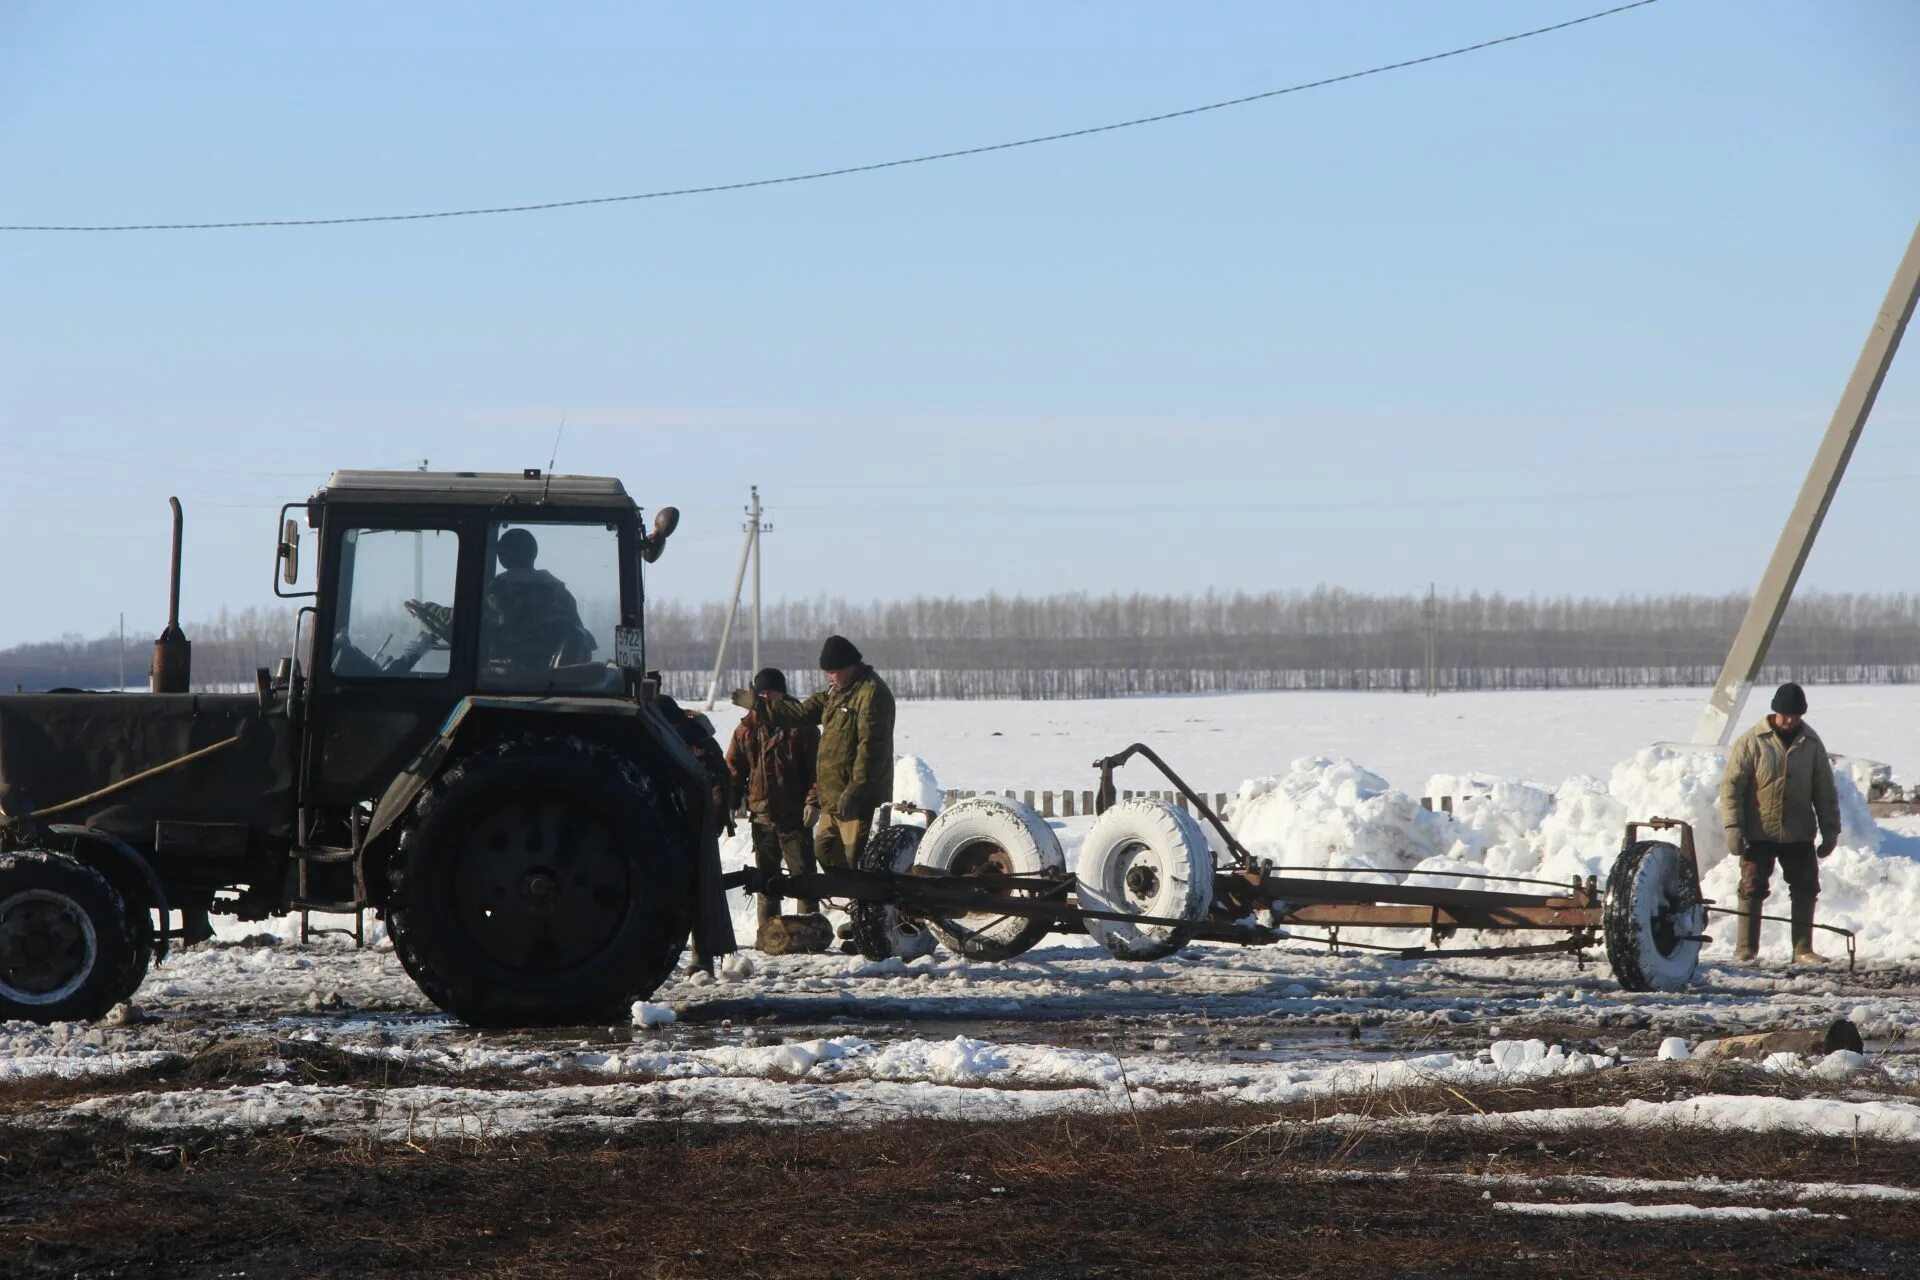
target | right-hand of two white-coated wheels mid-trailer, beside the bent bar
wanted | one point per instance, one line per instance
(1149, 859)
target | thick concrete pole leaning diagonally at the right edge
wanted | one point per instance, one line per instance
(1817, 494)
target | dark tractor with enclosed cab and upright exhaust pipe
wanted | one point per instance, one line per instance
(464, 740)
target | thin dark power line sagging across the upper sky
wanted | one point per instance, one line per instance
(871, 168)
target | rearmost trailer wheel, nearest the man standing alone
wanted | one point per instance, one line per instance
(1650, 918)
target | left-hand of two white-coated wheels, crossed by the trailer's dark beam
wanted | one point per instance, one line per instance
(982, 838)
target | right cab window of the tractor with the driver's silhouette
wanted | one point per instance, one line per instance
(550, 609)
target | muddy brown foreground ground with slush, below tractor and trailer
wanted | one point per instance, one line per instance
(1355, 1185)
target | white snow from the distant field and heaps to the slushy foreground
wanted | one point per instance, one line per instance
(1326, 780)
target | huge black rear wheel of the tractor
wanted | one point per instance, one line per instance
(539, 884)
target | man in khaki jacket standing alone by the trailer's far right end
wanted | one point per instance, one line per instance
(1779, 786)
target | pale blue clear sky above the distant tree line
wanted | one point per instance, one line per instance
(1564, 316)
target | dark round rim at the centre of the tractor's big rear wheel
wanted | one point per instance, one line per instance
(540, 886)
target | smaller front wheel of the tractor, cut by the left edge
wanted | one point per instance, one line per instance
(66, 945)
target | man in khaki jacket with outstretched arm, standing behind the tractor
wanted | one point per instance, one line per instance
(855, 767)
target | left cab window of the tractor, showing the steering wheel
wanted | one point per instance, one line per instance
(396, 604)
